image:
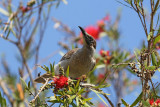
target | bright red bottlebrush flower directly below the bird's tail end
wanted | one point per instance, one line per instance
(60, 82)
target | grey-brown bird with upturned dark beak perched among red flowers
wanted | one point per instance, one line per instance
(79, 60)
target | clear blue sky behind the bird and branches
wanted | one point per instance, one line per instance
(83, 13)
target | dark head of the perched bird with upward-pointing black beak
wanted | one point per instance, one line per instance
(88, 40)
